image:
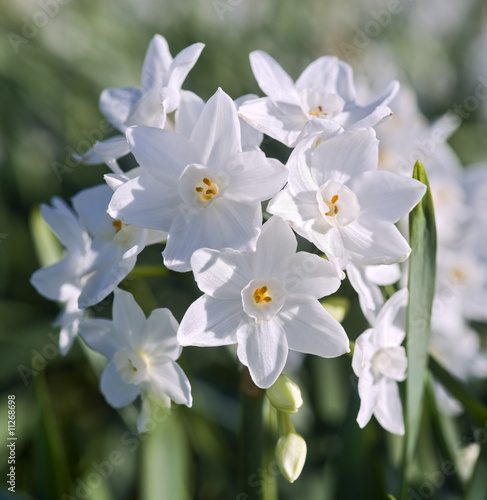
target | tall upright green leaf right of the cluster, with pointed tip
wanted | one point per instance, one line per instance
(421, 285)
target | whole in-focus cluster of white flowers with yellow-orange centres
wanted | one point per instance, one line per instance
(199, 186)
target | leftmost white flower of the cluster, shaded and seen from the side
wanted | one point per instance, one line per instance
(64, 281)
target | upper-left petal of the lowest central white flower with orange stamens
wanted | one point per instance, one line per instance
(222, 275)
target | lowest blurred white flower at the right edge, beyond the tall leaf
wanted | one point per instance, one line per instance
(457, 347)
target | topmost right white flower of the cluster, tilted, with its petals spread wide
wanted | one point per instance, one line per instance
(322, 97)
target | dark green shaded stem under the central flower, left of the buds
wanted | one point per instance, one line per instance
(251, 437)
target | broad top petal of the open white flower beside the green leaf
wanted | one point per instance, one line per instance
(345, 156)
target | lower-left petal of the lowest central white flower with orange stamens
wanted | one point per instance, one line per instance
(210, 322)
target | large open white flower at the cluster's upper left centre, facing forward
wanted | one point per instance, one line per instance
(204, 191)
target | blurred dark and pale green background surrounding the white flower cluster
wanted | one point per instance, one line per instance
(56, 56)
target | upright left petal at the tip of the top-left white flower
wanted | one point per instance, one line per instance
(157, 63)
